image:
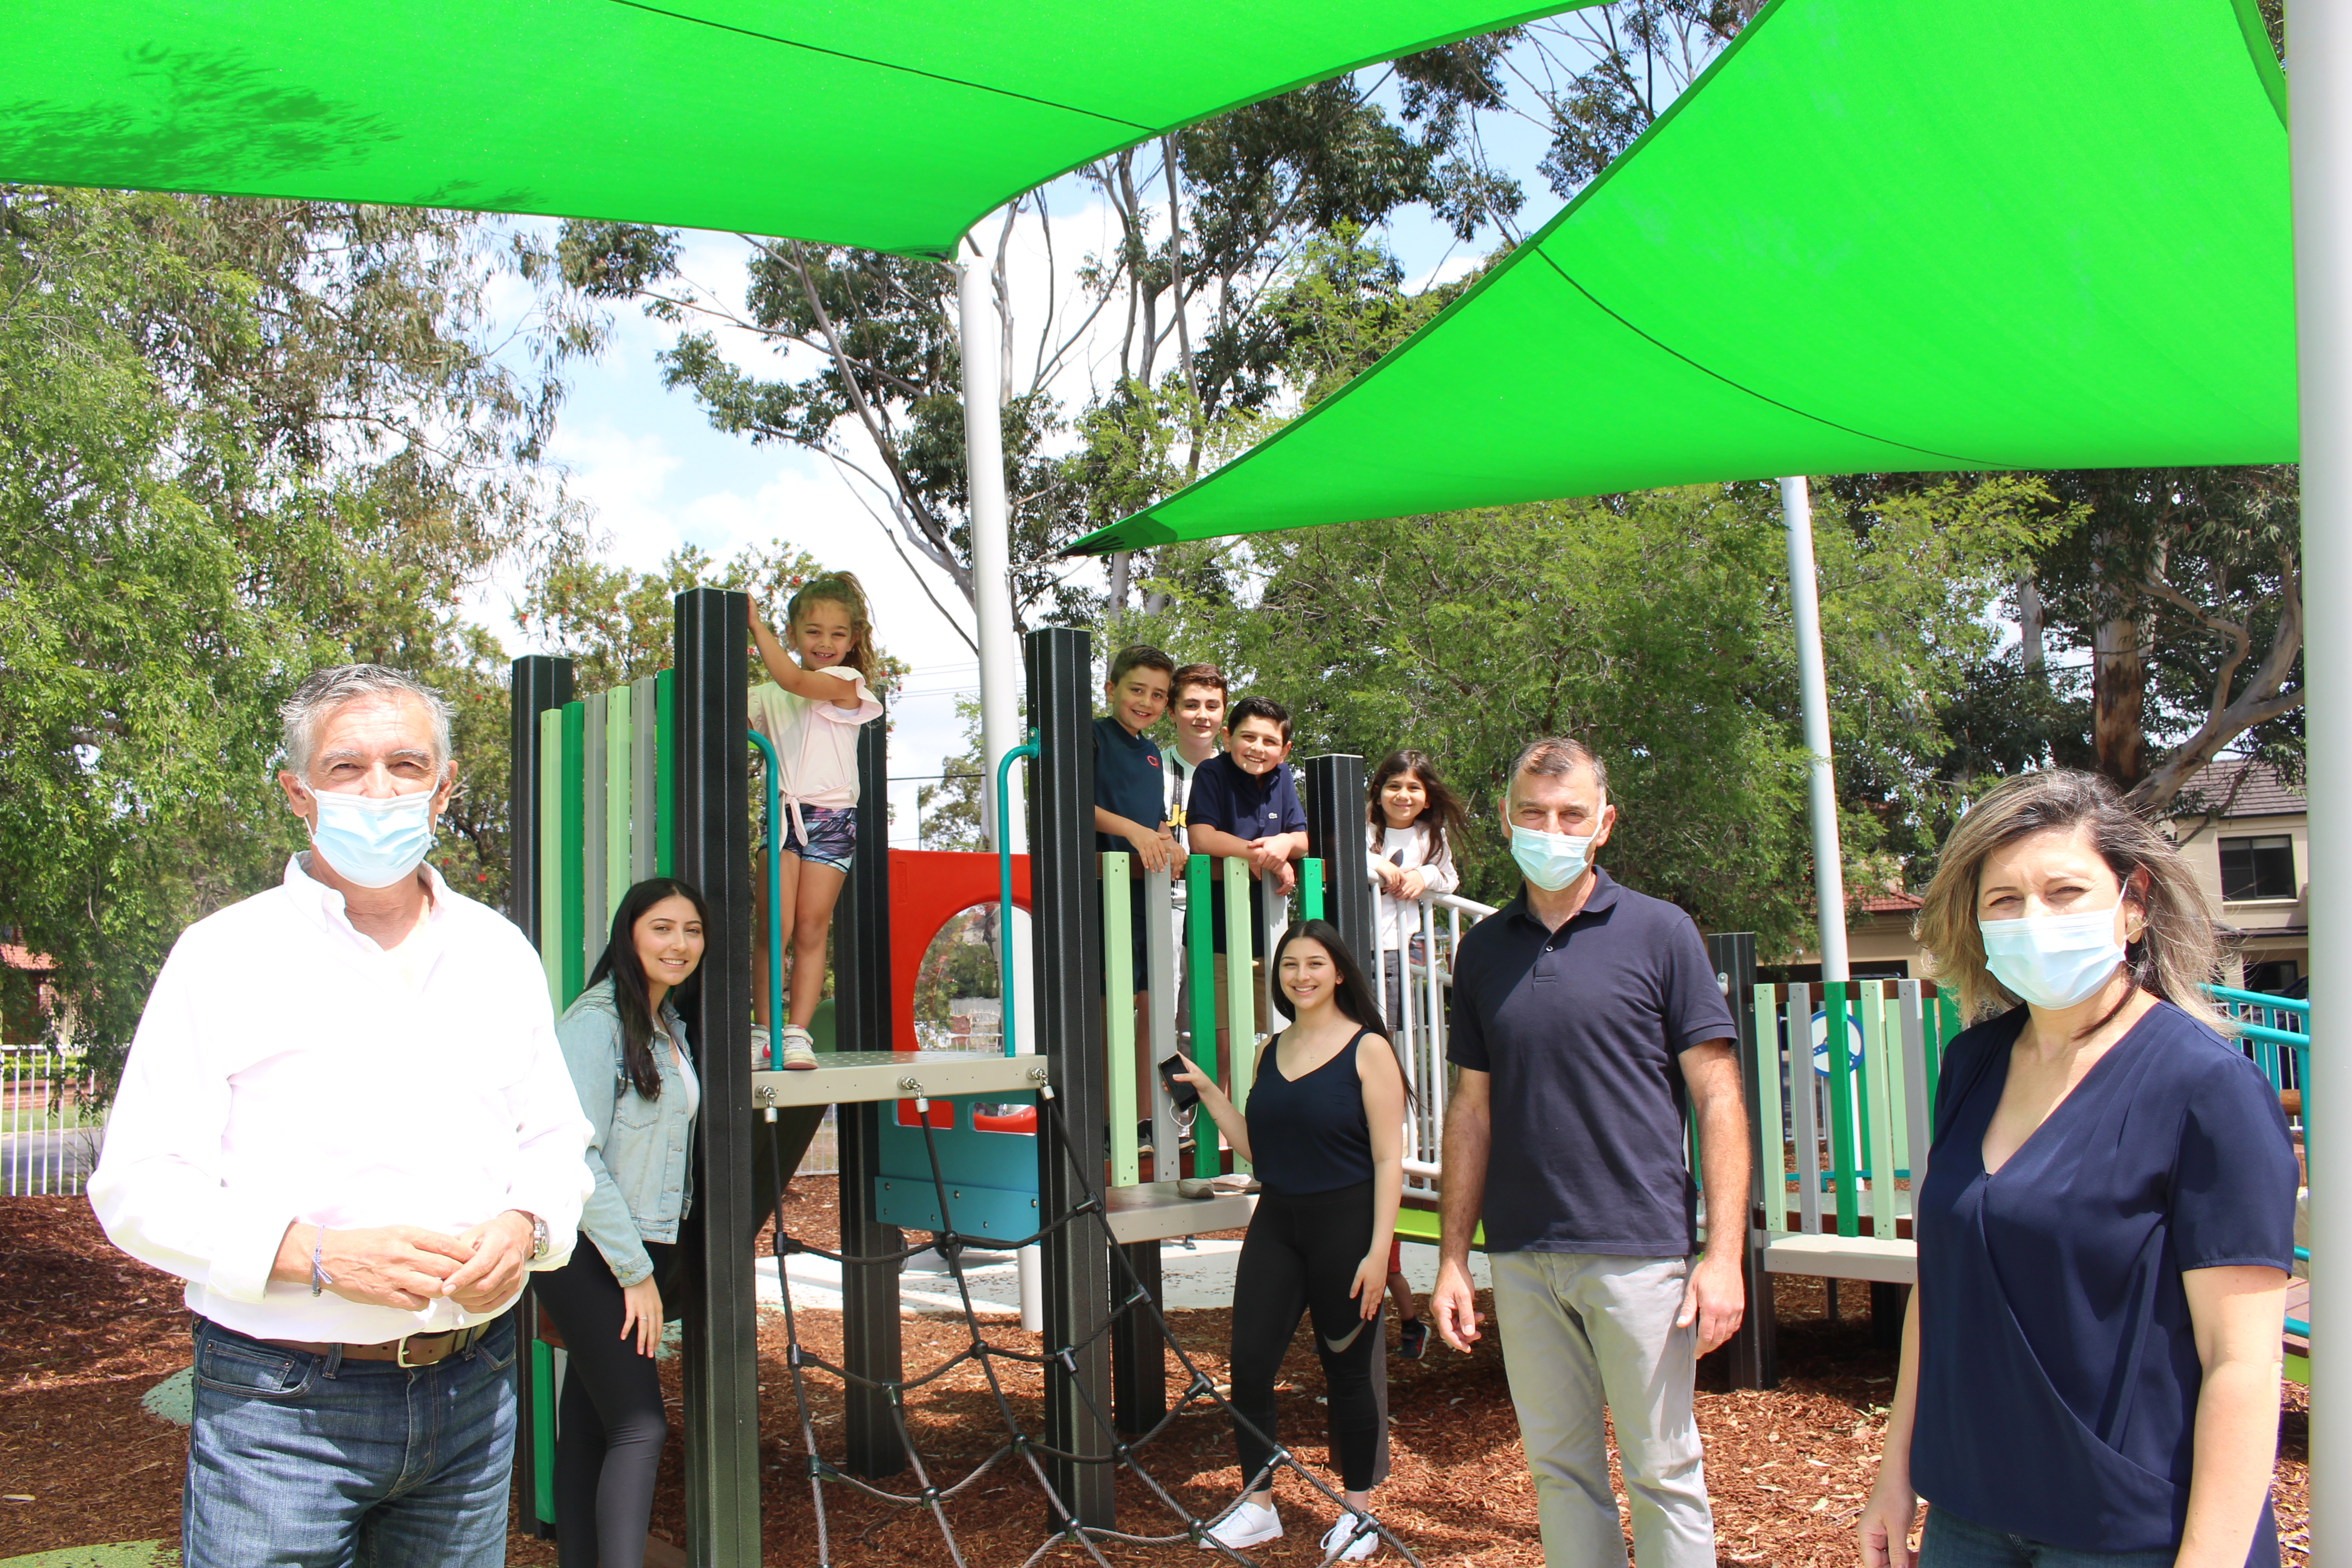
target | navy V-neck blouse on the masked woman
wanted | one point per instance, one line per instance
(2059, 1372)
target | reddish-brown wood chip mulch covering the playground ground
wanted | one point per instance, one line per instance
(91, 1332)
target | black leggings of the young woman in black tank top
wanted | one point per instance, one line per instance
(1299, 1261)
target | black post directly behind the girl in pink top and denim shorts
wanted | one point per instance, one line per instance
(871, 1343)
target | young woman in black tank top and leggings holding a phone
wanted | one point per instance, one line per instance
(1325, 1132)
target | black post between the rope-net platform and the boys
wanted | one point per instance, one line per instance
(1067, 920)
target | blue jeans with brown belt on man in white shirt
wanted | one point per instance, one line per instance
(326, 1463)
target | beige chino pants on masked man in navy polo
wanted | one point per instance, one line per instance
(1582, 1332)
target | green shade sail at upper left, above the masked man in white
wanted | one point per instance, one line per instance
(881, 123)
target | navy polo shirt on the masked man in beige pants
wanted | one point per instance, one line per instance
(1584, 1033)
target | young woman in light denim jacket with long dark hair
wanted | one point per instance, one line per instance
(634, 1071)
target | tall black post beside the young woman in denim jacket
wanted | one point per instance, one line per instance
(714, 855)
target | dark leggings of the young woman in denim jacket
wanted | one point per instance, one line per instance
(610, 1423)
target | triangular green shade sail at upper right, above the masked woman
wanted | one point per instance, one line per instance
(1878, 236)
